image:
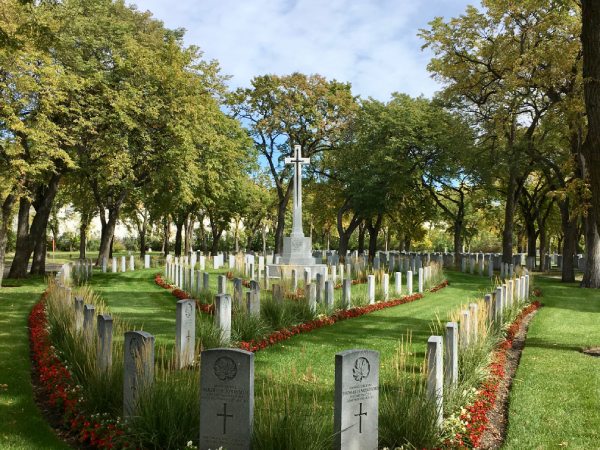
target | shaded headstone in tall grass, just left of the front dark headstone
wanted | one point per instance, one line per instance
(138, 365)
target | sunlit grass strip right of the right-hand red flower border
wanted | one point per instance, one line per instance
(555, 398)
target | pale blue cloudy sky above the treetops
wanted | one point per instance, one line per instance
(370, 43)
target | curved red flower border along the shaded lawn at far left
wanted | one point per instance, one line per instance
(59, 391)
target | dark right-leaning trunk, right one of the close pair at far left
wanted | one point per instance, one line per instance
(39, 225)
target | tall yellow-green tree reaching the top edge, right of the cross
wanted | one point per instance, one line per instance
(508, 66)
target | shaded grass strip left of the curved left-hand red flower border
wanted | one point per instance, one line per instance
(21, 424)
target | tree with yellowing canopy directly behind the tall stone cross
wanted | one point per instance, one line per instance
(283, 111)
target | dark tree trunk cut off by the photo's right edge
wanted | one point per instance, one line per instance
(590, 40)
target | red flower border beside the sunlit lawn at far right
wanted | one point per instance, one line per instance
(476, 414)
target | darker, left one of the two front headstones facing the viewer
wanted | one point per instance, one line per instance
(226, 399)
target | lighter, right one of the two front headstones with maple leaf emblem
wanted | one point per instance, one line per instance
(356, 413)
